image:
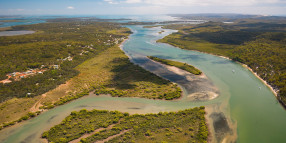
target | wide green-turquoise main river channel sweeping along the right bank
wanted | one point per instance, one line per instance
(258, 115)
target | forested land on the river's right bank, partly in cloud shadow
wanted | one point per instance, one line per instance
(260, 44)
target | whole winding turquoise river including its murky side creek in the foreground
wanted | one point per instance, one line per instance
(241, 105)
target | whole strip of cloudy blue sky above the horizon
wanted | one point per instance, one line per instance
(136, 7)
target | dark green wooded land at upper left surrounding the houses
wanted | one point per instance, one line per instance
(51, 45)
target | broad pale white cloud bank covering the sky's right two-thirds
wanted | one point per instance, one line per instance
(201, 6)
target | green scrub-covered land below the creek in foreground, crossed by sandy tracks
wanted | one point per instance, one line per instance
(182, 126)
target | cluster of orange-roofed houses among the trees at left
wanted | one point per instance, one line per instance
(16, 76)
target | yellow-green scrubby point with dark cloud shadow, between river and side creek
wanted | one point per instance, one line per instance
(108, 72)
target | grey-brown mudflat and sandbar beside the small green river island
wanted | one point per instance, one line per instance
(195, 87)
